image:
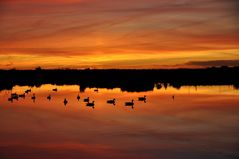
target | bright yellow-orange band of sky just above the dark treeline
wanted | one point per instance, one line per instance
(143, 60)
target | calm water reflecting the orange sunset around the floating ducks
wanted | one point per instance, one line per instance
(198, 123)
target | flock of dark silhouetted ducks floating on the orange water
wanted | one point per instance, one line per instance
(15, 96)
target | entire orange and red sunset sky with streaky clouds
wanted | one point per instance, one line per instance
(118, 33)
